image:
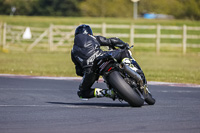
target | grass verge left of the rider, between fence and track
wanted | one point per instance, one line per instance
(43, 64)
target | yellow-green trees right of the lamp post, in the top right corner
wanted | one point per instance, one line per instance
(178, 8)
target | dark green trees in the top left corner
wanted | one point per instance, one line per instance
(41, 7)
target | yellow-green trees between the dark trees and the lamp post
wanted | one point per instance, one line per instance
(106, 8)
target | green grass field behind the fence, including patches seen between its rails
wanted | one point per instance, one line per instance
(44, 22)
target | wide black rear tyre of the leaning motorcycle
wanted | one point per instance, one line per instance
(124, 89)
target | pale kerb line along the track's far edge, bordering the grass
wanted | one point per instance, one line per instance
(100, 80)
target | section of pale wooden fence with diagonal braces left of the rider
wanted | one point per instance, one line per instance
(49, 38)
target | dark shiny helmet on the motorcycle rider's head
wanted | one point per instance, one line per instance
(83, 29)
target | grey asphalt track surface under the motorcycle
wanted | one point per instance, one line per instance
(52, 106)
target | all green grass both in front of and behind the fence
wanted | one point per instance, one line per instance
(169, 66)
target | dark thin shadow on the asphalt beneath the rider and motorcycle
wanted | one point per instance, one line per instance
(93, 104)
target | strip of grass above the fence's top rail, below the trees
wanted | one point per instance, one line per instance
(46, 21)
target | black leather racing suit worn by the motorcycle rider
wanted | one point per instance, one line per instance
(86, 48)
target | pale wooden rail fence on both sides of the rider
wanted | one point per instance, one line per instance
(57, 37)
